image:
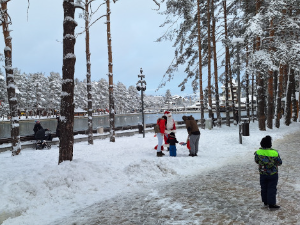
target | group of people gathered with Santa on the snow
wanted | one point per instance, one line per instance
(166, 132)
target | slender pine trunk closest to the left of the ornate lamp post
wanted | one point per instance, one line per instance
(110, 75)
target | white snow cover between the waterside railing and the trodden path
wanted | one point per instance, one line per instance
(36, 190)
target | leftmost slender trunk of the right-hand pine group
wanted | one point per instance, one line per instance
(200, 65)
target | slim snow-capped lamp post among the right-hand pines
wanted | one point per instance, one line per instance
(237, 42)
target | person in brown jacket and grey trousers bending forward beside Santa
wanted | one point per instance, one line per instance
(194, 134)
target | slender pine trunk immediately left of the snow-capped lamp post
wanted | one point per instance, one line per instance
(227, 61)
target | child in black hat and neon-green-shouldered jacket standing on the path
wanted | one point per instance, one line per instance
(268, 161)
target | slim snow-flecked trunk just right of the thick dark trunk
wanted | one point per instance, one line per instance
(88, 74)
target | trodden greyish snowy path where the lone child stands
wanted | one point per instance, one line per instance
(230, 196)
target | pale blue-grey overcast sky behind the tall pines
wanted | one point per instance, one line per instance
(37, 46)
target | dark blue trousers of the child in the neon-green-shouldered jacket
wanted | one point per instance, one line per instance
(268, 184)
